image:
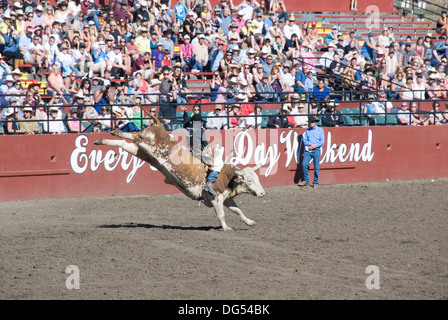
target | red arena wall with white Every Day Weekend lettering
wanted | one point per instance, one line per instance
(70, 165)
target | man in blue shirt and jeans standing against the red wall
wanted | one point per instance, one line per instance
(313, 139)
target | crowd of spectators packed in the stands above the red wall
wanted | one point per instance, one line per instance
(104, 65)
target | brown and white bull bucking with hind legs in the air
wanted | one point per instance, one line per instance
(187, 173)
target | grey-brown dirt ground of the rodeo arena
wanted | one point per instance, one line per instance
(307, 244)
